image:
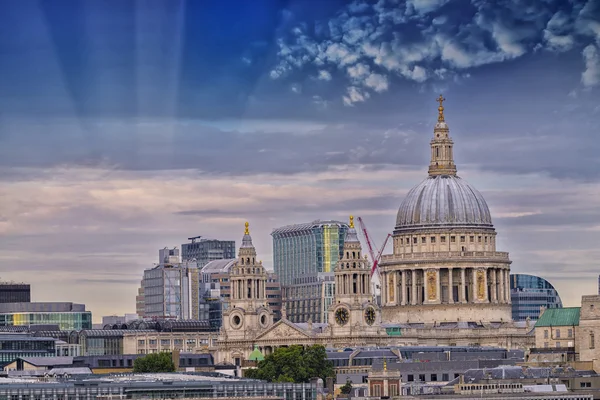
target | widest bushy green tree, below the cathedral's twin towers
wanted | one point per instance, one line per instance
(293, 364)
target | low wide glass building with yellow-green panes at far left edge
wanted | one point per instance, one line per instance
(68, 316)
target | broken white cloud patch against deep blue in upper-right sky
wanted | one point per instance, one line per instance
(414, 41)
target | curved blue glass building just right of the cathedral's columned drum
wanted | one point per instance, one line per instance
(529, 293)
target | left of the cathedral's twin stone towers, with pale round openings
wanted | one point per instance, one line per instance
(248, 311)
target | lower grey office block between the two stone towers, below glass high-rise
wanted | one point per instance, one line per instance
(309, 297)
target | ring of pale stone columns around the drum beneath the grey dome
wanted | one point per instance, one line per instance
(448, 285)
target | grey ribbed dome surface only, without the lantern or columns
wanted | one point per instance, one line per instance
(443, 201)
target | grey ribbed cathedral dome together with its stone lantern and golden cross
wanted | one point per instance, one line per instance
(443, 199)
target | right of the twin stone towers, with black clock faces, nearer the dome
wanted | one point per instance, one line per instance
(353, 312)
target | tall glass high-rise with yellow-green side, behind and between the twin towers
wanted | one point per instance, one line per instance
(302, 249)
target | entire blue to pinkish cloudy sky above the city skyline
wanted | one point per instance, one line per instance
(128, 126)
